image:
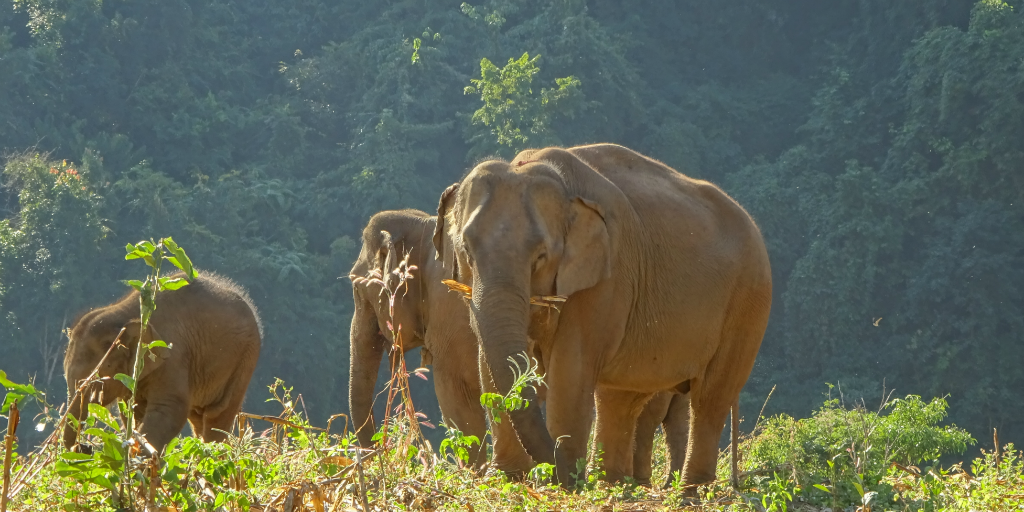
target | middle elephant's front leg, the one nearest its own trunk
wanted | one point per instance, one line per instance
(459, 397)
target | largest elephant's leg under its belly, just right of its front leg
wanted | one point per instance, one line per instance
(618, 412)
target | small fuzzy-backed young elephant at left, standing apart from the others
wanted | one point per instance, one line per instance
(214, 334)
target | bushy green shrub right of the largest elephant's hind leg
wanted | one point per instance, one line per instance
(846, 453)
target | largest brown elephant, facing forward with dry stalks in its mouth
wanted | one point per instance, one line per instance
(668, 283)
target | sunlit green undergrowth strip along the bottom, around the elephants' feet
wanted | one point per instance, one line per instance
(843, 456)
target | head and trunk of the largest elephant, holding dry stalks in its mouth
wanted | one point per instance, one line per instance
(521, 230)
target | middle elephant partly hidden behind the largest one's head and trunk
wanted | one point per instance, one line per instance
(432, 317)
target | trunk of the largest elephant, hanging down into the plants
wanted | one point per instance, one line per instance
(501, 318)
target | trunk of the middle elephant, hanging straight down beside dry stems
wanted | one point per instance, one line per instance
(366, 350)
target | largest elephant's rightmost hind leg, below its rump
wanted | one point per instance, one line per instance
(713, 396)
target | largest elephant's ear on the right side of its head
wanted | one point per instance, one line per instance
(587, 254)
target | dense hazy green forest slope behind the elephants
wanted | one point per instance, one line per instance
(879, 145)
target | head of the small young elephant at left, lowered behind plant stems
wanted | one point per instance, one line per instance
(105, 340)
